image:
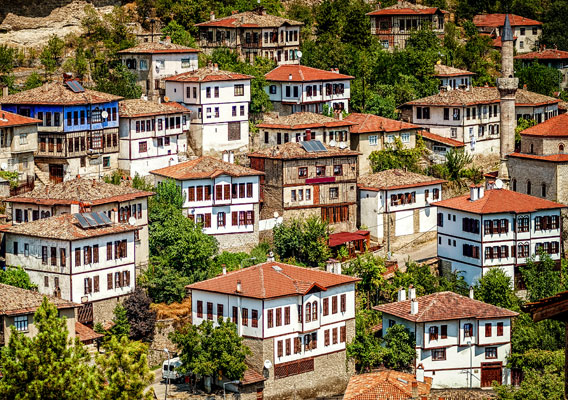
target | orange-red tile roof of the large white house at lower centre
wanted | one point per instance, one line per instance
(272, 279)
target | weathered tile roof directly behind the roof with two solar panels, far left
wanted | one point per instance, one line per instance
(80, 190)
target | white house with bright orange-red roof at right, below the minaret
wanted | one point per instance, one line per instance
(496, 228)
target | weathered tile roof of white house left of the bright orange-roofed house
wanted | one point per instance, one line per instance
(395, 179)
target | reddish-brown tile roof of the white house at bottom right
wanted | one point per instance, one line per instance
(443, 306)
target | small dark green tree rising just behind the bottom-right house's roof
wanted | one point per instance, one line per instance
(495, 287)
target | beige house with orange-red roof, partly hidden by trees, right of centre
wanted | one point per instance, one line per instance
(373, 133)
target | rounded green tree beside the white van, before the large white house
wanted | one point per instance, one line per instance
(208, 350)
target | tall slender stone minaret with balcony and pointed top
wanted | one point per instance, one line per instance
(507, 86)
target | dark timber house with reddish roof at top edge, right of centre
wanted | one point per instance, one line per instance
(393, 25)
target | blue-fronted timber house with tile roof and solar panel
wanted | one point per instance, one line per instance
(78, 134)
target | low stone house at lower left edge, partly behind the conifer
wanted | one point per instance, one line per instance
(17, 309)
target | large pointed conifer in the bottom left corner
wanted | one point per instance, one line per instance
(47, 366)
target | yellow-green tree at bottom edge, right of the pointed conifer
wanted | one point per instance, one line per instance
(124, 368)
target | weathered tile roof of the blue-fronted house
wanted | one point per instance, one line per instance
(58, 93)
